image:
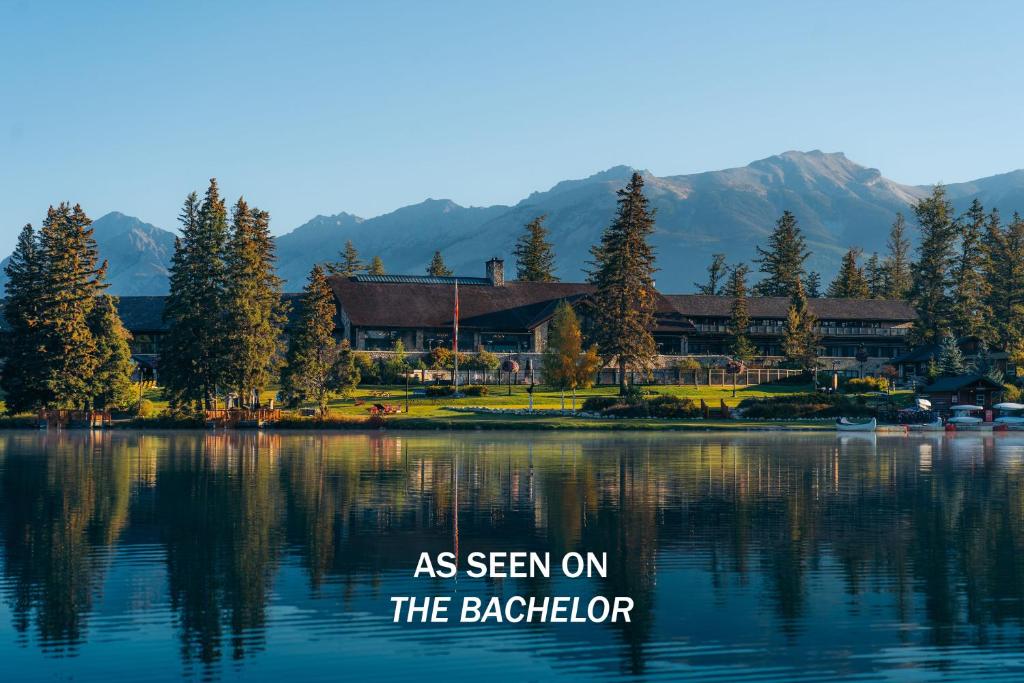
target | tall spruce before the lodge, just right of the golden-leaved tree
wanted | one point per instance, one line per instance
(625, 297)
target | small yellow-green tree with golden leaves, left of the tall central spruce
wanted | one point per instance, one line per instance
(566, 365)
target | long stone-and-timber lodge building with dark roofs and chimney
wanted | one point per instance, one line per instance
(375, 312)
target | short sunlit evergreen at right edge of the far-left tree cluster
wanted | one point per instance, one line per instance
(112, 385)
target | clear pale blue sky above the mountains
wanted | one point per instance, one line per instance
(313, 108)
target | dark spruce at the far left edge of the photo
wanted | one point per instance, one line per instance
(23, 379)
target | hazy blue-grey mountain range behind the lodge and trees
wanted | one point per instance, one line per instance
(838, 203)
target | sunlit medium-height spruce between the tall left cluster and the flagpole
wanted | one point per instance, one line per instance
(310, 368)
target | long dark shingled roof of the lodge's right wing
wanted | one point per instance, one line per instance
(702, 306)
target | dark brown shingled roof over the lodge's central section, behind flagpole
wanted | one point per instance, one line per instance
(517, 306)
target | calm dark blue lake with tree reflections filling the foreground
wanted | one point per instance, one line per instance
(274, 557)
